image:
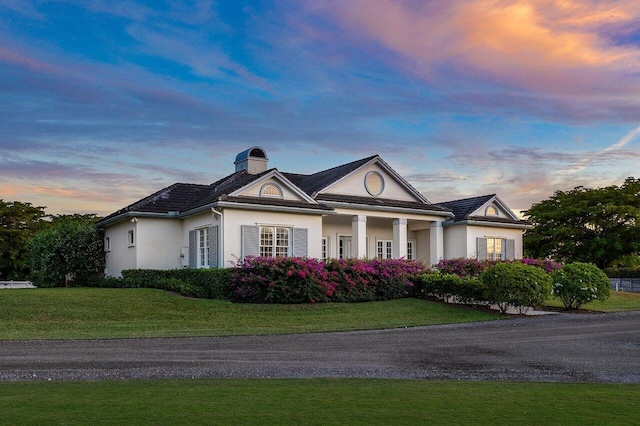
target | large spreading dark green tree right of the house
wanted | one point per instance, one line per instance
(596, 226)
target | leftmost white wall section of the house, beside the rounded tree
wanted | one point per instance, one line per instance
(120, 256)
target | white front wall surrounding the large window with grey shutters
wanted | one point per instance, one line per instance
(235, 218)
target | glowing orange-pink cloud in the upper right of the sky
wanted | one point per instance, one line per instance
(552, 46)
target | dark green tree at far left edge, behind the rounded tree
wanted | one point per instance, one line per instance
(19, 222)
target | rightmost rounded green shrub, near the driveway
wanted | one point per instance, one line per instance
(579, 283)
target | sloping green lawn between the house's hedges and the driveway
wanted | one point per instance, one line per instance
(90, 313)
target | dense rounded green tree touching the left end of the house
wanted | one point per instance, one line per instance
(71, 249)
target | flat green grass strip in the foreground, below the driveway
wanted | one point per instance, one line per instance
(317, 401)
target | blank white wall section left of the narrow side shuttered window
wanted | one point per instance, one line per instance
(158, 243)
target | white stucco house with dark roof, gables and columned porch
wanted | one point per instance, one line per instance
(361, 209)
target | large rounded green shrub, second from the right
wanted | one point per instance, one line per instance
(516, 284)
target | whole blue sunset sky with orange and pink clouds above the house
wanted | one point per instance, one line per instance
(105, 102)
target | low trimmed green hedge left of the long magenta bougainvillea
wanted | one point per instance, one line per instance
(202, 283)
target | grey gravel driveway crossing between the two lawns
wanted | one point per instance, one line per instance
(557, 348)
